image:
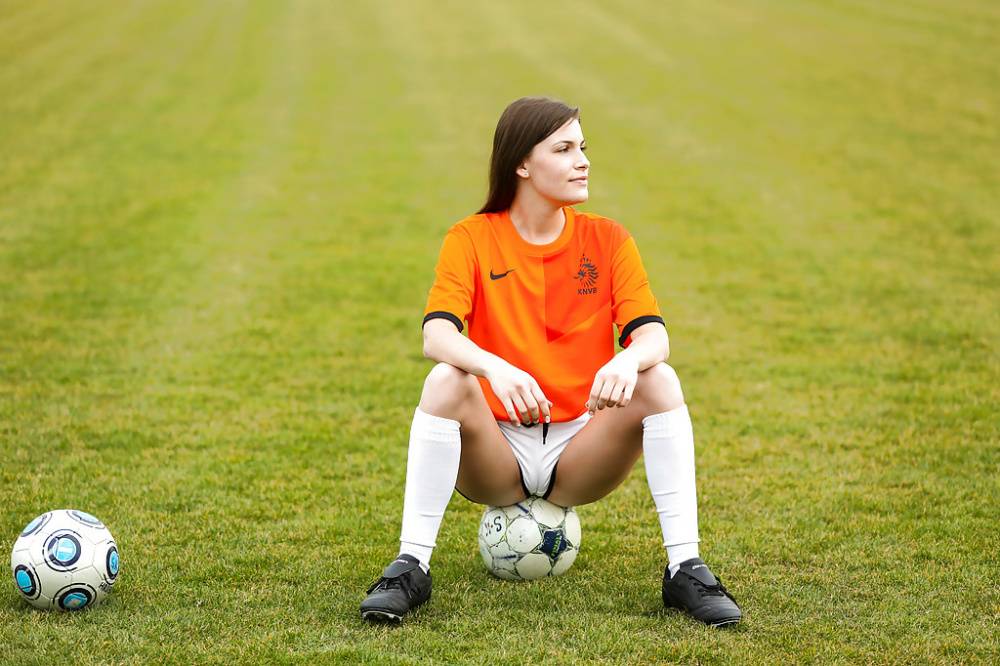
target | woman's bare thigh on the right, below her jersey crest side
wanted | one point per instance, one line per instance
(599, 457)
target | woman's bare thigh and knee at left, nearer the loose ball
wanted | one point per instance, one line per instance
(488, 472)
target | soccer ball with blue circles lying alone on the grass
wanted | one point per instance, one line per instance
(65, 560)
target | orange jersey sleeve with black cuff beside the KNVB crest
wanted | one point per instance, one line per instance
(632, 301)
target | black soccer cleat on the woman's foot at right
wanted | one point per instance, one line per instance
(695, 590)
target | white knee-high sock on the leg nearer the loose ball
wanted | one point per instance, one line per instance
(431, 472)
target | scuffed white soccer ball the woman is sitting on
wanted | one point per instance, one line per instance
(528, 540)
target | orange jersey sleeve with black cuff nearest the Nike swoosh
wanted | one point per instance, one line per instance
(454, 279)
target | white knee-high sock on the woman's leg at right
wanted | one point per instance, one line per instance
(668, 451)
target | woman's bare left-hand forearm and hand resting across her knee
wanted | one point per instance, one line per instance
(516, 389)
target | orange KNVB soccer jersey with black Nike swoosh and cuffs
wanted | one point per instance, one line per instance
(546, 309)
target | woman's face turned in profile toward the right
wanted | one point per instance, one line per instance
(557, 167)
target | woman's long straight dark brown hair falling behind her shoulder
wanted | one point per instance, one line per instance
(523, 124)
